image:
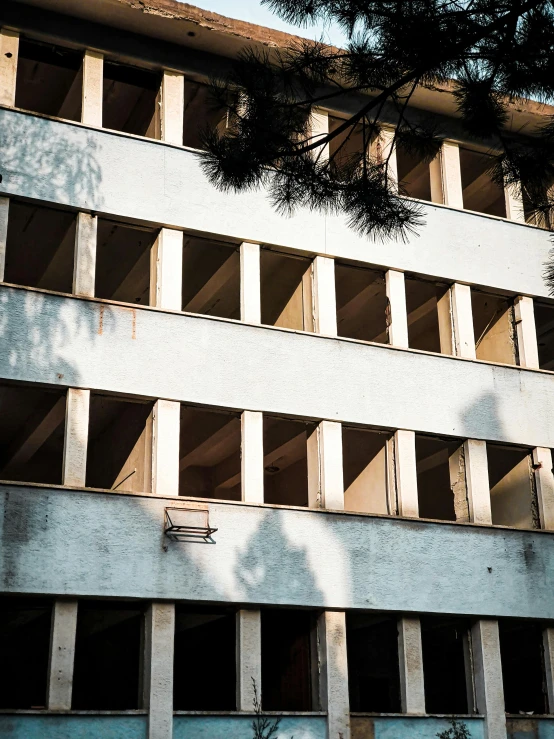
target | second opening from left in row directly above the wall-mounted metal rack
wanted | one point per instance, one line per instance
(120, 444)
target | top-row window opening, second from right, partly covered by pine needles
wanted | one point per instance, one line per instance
(480, 192)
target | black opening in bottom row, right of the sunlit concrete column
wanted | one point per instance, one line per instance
(373, 663)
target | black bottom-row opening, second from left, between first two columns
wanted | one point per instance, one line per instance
(108, 646)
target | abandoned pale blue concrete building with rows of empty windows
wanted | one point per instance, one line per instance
(239, 449)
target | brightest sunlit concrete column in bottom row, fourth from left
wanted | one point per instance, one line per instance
(333, 678)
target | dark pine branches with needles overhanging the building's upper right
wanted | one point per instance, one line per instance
(492, 52)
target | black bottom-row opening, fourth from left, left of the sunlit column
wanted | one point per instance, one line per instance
(289, 660)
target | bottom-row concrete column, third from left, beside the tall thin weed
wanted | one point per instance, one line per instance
(248, 658)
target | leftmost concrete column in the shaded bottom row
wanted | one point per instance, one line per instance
(62, 655)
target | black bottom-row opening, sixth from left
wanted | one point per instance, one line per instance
(447, 669)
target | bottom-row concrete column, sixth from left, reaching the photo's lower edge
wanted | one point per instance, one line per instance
(489, 690)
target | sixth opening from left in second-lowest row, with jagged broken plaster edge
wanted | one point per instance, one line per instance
(441, 482)
